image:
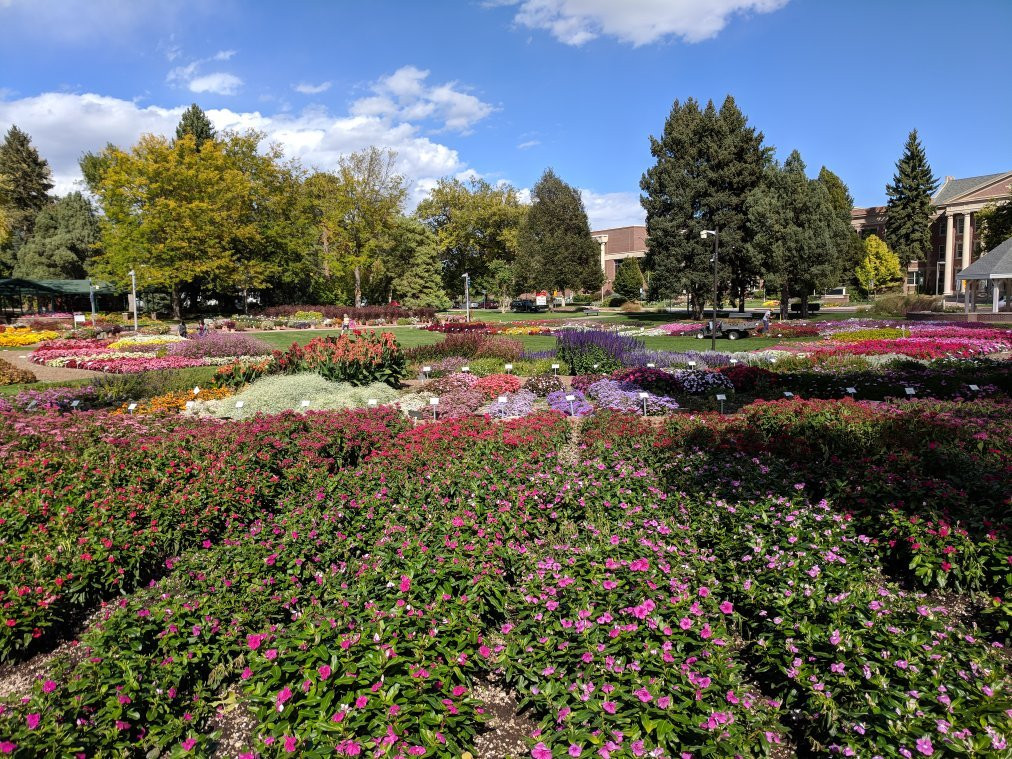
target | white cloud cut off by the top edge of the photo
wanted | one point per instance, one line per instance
(635, 22)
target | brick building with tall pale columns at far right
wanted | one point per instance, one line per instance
(954, 239)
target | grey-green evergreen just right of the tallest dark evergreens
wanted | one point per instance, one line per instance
(796, 227)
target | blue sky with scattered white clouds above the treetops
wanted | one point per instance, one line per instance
(505, 89)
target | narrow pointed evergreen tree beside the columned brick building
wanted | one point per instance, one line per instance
(908, 214)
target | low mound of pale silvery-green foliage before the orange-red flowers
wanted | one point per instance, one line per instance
(274, 395)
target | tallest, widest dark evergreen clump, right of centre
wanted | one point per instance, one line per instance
(708, 162)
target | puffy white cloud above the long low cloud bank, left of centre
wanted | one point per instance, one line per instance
(405, 96)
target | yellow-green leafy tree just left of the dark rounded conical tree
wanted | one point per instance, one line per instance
(475, 223)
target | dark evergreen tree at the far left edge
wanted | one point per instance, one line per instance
(25, 184)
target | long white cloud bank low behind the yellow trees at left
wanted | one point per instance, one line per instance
(64, 126)
